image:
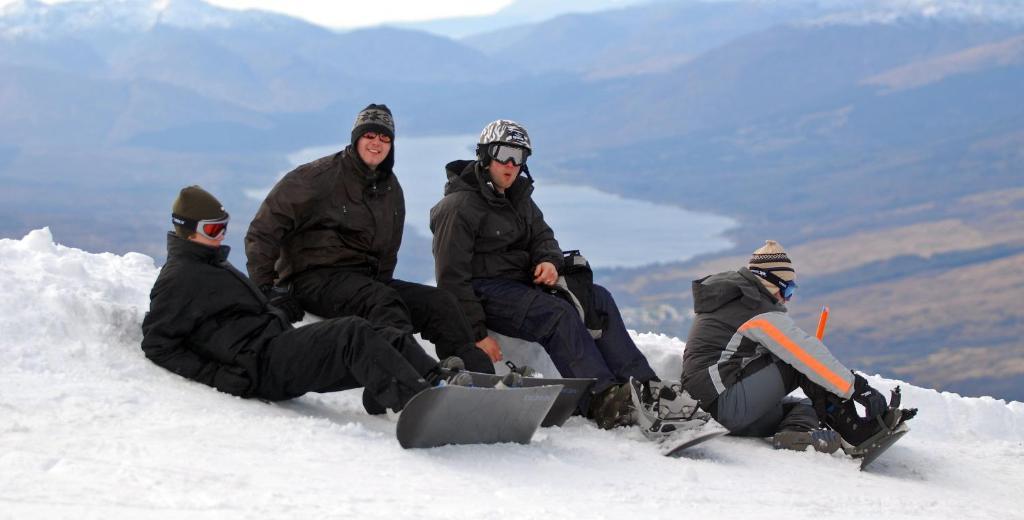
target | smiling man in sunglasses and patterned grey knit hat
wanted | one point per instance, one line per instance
(329, 234)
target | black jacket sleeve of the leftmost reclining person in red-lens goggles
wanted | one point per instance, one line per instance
(174, 315)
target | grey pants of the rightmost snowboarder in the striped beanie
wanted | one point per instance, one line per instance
(758, 406)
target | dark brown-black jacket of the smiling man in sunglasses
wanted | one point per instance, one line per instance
(333, 212)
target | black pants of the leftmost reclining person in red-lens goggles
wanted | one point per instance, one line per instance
(339, 355)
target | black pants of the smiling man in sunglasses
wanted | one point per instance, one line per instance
(405, 307)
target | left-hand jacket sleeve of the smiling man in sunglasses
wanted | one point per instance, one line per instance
(283, 211)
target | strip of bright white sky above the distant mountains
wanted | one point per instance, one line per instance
(351, 14)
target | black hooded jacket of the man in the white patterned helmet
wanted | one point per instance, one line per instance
(481, 234)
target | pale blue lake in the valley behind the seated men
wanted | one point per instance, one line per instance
(610, 230)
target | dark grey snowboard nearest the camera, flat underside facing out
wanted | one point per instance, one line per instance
(456, 415)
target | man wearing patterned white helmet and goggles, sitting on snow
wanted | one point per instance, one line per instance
(494, 251)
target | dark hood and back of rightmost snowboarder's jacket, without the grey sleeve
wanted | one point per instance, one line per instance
(723, 304)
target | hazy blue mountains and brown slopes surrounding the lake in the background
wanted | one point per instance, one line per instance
(880, 141)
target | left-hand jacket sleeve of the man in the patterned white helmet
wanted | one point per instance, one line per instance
(453, 247)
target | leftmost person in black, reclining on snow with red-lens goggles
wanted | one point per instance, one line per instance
(208, 323)
